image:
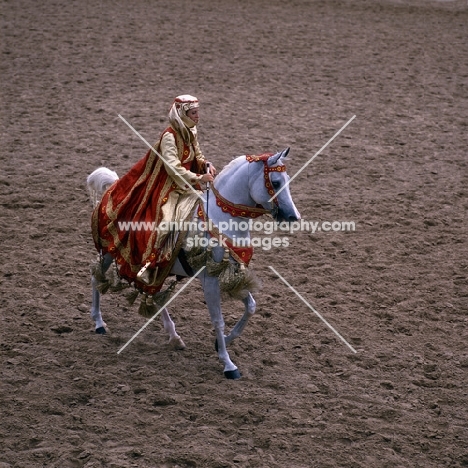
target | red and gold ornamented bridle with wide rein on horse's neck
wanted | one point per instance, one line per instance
(245, 211)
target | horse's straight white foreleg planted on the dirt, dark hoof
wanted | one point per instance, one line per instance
(213, 301)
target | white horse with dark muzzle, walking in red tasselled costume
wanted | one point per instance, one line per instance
(244, 183)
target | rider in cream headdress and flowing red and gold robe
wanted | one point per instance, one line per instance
(155, 190)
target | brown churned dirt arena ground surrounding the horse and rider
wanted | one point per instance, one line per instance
(269, 74)
